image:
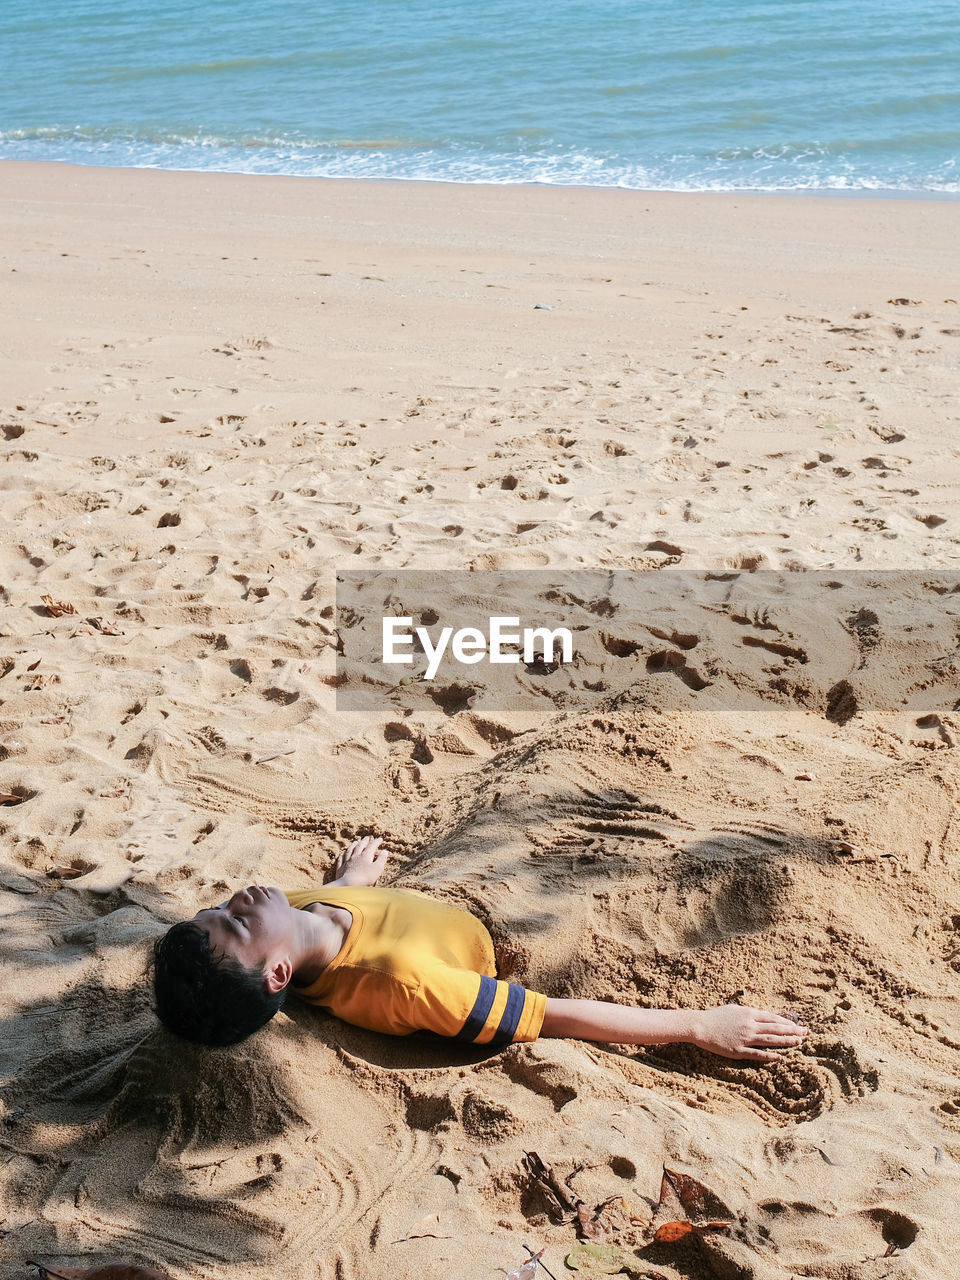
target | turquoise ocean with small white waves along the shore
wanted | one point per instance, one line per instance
(680, 95)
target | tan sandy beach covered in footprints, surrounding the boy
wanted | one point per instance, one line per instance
(218, 392)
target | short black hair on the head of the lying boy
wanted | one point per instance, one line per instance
(207, 996)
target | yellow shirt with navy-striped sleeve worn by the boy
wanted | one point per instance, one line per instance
(412, 963)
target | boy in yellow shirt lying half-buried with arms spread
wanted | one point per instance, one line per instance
(395, 961)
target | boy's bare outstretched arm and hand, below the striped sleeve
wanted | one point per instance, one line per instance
(732, 1031)
